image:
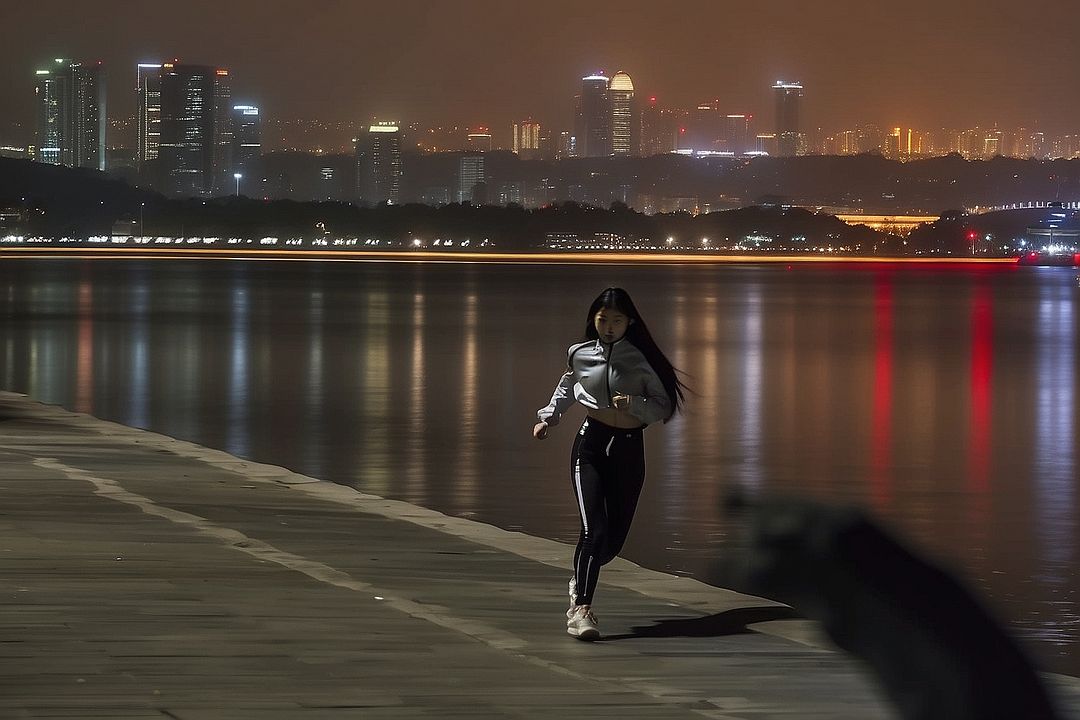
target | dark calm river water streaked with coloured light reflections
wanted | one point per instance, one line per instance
(943, 399)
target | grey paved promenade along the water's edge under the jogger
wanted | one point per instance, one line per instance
(142, 577)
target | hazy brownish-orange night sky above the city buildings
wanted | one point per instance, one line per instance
(922, 63)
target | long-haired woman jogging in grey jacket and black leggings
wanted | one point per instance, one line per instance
(626, 383)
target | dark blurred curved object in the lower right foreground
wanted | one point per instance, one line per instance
(936, 650)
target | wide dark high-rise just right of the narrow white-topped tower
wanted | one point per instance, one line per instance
(196, 139)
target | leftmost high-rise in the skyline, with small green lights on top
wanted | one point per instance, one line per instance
(72, 115)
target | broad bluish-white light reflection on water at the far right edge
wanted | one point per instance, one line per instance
(1055, 433)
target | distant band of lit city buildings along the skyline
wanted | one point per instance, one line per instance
(610, 120)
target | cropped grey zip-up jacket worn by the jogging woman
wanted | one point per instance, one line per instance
(598, 373)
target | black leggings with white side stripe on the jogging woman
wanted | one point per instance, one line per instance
(607, 470)
